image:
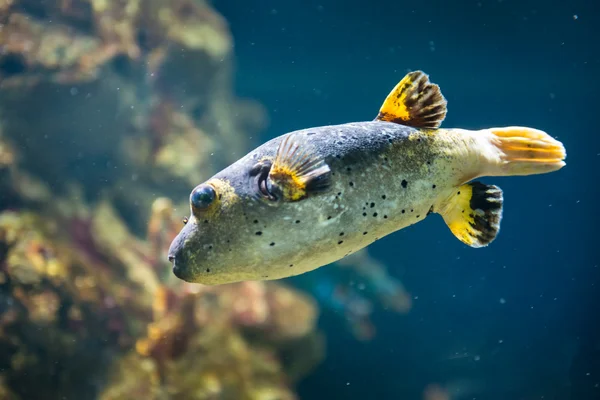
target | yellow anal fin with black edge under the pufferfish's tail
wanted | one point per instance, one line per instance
(473, 213)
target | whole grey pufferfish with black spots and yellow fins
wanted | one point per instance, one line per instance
(311, 197)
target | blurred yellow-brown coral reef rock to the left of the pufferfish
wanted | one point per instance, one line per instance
(109, 109)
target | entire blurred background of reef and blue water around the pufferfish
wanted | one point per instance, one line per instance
(111, 111)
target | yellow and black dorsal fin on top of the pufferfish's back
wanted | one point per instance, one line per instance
(414, 102)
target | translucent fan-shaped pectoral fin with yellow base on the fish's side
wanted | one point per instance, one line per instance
(298, 171)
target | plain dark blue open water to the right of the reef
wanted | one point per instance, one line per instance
(525, 310)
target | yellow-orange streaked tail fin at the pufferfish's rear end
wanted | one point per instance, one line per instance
(523, 151)
